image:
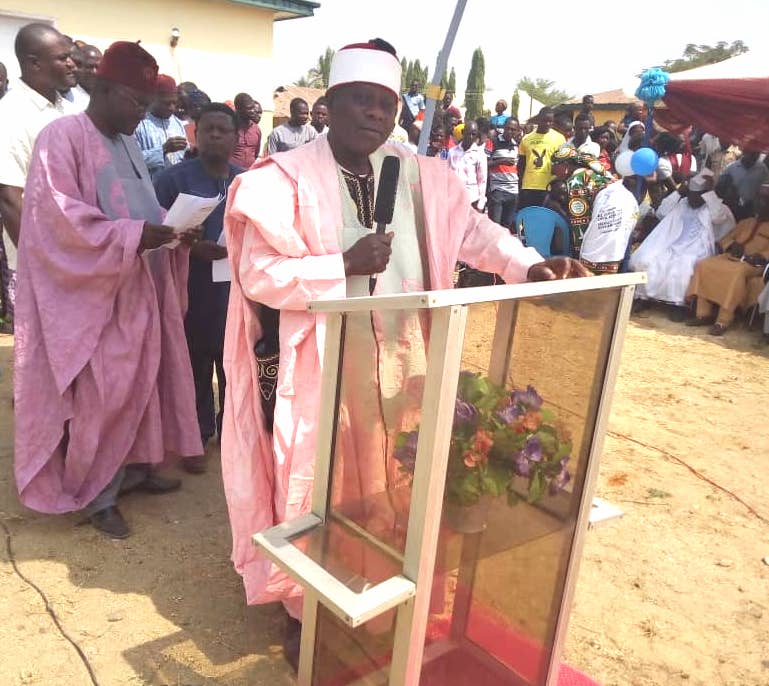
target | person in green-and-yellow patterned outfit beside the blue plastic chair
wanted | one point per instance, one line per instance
(584, 176)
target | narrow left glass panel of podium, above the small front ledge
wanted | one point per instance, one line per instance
(380, 394)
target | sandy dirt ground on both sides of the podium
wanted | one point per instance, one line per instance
(674, 592)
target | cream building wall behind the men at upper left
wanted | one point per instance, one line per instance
(225, 47)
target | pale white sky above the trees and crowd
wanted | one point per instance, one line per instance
(582, 50)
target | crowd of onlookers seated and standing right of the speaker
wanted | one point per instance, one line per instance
(696, 224)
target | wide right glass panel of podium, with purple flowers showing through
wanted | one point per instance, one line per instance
(522, 435)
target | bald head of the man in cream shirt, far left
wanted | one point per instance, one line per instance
(45, 58)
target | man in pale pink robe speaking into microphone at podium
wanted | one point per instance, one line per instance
(283, 226)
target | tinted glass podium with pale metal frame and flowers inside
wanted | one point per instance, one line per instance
(458, 447)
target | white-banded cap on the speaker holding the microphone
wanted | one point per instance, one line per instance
(365, 63)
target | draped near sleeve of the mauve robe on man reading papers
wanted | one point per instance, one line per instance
(76, 270)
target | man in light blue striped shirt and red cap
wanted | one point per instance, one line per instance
(160, 134)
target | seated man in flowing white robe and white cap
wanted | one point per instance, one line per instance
(685, 236)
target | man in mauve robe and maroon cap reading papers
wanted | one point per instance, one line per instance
(103, 384)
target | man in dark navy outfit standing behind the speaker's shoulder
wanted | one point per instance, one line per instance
(209, 174)
